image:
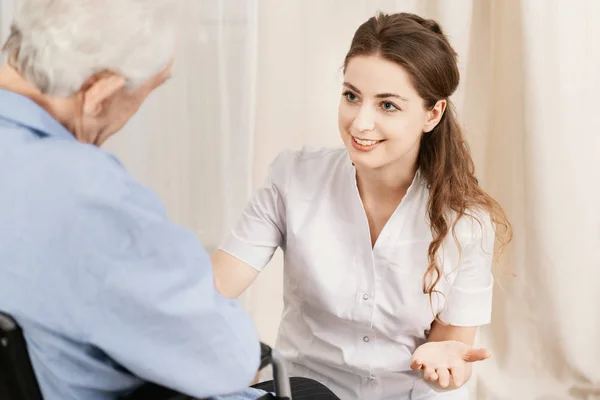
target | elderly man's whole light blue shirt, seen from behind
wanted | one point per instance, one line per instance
(107, 291)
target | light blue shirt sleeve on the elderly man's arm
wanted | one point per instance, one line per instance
(153, 306)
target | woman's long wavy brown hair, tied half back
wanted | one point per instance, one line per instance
(420, 47)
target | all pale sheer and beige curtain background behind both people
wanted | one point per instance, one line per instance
(255, 76)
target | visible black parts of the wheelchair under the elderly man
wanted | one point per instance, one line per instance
(18, 380)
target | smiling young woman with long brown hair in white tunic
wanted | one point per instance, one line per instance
(388, 242)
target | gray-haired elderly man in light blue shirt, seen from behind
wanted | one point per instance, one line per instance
(108, 292)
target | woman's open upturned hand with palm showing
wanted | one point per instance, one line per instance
(447, 362)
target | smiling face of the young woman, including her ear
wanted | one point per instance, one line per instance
(381, 116)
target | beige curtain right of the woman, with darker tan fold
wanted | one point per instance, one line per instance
(541, 162)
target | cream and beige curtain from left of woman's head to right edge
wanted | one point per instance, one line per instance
(528, 100)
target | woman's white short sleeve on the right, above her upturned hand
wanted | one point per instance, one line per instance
(469, 297)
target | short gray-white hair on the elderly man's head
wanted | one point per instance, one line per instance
(57, 45)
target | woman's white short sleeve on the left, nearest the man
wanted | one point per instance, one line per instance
(261, 228)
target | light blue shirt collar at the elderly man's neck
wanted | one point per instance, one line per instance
(23, 111)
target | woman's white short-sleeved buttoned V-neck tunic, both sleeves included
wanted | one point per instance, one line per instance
(354, 314)
